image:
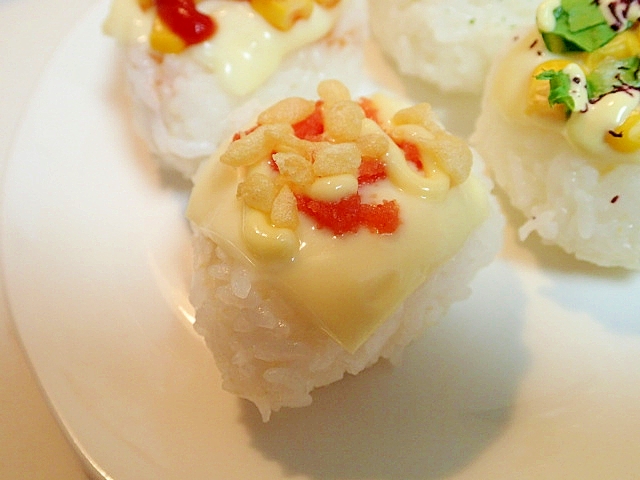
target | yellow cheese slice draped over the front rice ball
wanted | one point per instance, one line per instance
(345, 284)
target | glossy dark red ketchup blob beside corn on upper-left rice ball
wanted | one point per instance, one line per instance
(183, 19)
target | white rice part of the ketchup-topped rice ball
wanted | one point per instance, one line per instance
(182, 111)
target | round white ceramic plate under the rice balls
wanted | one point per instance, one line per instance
(537, 375)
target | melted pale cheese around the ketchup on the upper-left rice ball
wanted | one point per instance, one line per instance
(245, 50)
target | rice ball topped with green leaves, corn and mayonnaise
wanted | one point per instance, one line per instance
(560, 128)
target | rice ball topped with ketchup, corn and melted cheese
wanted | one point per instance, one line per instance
(199, 69)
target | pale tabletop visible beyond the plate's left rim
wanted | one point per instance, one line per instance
(32, 445)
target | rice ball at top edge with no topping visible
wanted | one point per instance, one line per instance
(449, 43)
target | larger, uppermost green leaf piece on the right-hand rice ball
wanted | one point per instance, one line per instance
(580, 26)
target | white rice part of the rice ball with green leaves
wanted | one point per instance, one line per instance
(589, 212)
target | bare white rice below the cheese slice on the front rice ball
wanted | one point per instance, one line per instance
(256, 339)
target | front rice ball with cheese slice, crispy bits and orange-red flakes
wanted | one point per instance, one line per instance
(327, 235)
